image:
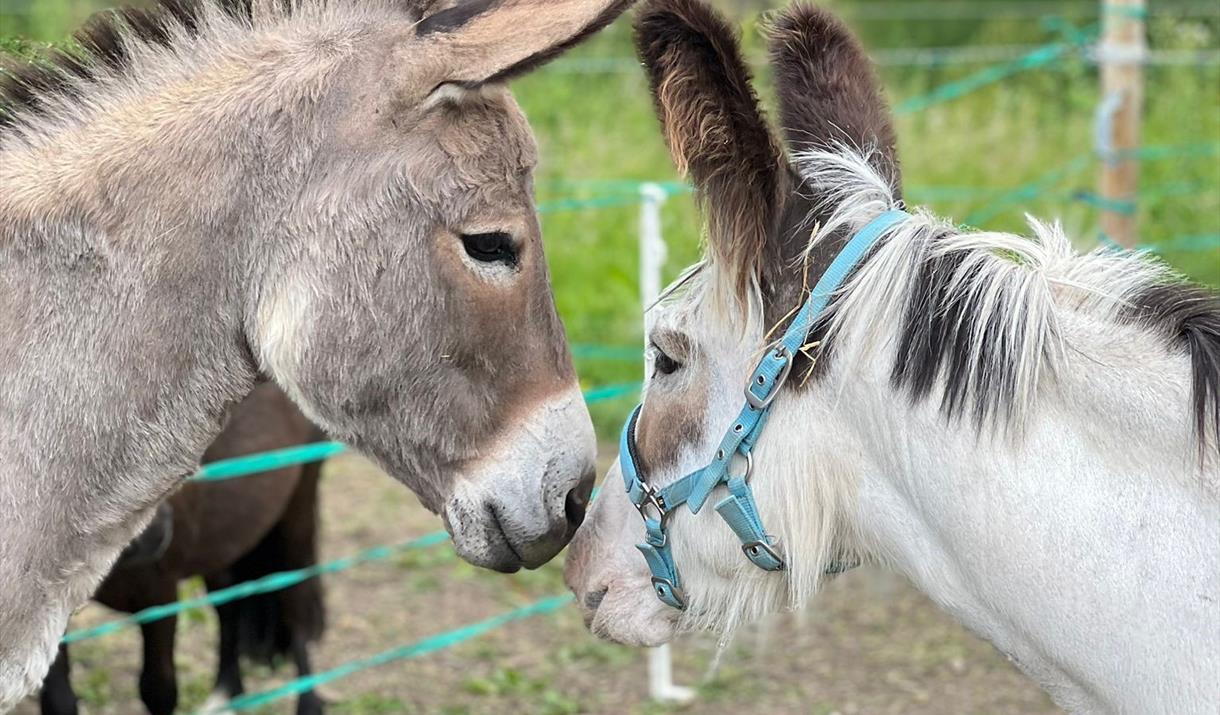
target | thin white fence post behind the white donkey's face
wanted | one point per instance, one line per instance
(652, 260)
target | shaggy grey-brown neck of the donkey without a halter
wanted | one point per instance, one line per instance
(115, 129)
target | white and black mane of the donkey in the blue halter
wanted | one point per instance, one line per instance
(980, 315)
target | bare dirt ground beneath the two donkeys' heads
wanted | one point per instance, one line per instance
(872, 645)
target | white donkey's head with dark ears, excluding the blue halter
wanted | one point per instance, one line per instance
(762, 214)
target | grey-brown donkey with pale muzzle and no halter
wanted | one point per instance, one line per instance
(331, 195)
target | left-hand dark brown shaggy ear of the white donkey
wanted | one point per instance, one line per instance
(716, 129)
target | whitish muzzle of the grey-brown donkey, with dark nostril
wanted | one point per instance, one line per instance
(520, 503)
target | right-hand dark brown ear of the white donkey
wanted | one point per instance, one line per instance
(829, 93)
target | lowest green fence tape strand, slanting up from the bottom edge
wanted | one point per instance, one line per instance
(425, 647)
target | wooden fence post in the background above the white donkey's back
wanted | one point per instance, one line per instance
(1121, 56)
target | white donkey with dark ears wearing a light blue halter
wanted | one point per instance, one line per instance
(1028, 434)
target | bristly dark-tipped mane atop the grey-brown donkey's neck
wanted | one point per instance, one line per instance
(126, 60)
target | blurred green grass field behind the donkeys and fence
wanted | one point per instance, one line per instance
(988, 158)
